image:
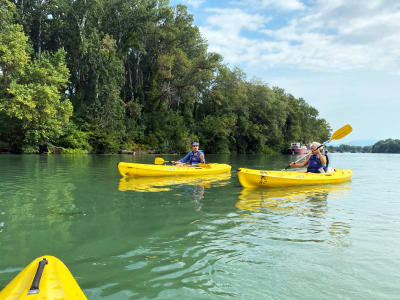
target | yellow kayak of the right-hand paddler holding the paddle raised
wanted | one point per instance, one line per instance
(254, 178)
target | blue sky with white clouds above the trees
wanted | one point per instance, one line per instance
(341, 56)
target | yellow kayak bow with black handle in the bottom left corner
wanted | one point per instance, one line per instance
(46, 278)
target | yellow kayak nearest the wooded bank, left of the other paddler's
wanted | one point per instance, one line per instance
(135, 169)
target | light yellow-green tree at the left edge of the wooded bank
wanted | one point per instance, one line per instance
(32, 95)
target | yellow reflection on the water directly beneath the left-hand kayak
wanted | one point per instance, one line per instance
(158, 184)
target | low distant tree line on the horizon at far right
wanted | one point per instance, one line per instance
(383, 146)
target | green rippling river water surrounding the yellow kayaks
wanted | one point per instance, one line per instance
(204, 240)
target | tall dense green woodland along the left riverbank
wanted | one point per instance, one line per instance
(100, 76)
